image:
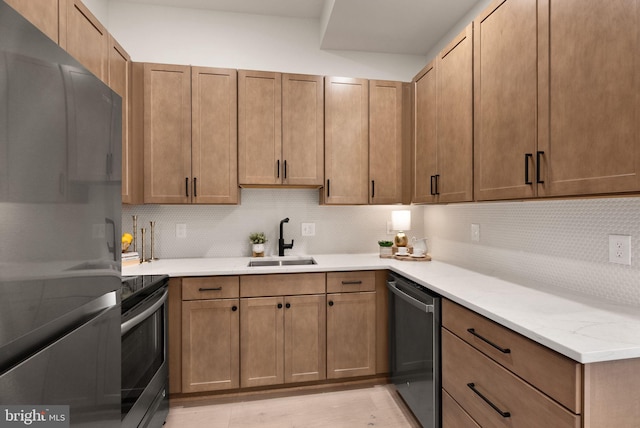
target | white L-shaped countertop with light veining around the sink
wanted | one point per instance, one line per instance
(585, 329)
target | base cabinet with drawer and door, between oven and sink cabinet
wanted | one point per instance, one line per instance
(210, 334)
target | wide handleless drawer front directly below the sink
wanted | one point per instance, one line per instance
(282, 284)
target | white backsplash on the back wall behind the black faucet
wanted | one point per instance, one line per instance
(223, 231)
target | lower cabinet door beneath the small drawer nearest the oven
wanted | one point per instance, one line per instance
(210, 345)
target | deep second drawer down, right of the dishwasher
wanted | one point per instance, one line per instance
(468, 376)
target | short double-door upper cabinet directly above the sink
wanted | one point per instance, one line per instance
(281, 129)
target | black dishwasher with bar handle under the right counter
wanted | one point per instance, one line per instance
(415, 348)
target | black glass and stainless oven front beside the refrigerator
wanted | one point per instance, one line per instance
(145, 399)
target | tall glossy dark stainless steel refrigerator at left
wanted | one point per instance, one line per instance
(60, 181)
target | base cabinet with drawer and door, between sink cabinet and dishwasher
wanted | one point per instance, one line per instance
(351, 324)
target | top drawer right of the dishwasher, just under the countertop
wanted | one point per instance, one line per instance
(554, 374)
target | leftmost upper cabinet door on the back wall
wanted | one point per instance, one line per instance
(167, 134)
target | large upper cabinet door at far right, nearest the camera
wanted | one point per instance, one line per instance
(590, 108)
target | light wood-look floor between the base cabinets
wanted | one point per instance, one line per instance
(371, 406)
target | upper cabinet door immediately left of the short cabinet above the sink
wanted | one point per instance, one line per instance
(214, 148)
